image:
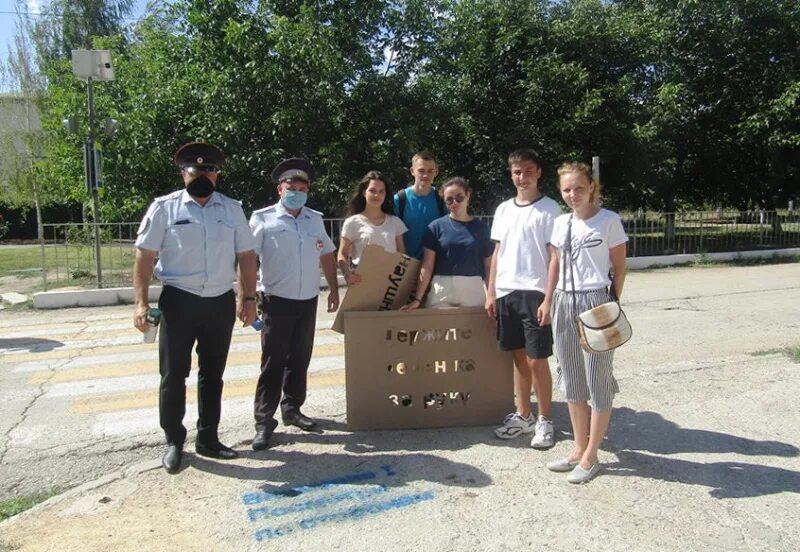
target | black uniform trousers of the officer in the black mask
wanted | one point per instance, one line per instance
(188, 318)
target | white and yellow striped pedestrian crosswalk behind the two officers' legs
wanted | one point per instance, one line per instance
(98, 374)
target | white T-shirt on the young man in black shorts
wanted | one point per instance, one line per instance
(523, 232)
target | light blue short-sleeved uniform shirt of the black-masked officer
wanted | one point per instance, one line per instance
(196, 245)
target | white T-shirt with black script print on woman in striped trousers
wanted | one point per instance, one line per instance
(591, 240)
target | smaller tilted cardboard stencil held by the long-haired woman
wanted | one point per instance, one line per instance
(388, 280)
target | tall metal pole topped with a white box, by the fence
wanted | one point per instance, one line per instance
(92, 65)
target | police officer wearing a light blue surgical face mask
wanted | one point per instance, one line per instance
(291, 244)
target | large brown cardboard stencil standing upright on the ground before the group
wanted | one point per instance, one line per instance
(425, 368)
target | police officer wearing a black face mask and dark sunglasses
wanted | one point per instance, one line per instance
(198, 236)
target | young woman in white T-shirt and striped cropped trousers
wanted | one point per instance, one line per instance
(587, 251)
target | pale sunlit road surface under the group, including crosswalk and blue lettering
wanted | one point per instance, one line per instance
(702, 454)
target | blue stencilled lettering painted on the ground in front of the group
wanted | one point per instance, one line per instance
(318, 506)
